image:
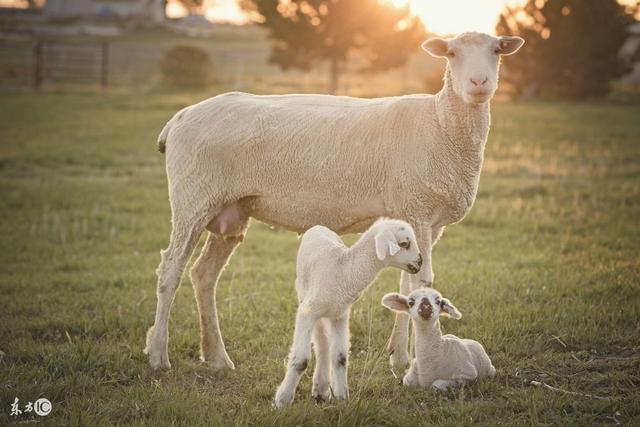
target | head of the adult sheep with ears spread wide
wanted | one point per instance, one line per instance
(473, 60)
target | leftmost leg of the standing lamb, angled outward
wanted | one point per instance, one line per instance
(298, 358)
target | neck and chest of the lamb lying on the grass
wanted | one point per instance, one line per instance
(429, 345)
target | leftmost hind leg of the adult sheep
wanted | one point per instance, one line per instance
(184, 237)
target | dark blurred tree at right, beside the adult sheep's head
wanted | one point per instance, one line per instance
(571, 47)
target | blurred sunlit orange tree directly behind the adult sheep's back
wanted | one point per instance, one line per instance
(306, 31)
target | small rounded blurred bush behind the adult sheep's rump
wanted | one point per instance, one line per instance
(187, 67)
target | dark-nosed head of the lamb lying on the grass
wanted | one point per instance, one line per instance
(425, 304)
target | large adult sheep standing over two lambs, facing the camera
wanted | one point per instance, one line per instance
(296, 161)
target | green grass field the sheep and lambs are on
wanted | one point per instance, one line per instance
(545, 270)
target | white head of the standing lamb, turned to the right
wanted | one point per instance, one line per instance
(396, 245)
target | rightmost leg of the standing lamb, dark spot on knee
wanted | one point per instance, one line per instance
(340, 356)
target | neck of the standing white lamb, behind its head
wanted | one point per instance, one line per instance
(362, 264)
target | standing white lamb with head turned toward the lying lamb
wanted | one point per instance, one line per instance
(330, 278)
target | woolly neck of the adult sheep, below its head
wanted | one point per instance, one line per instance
(465, 125)
